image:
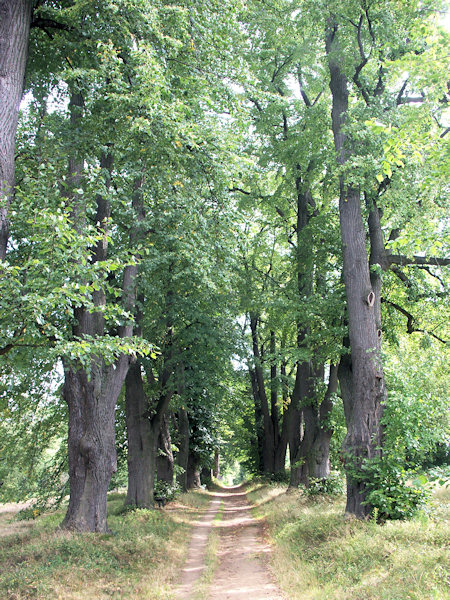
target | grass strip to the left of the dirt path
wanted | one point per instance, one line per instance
(140, 561)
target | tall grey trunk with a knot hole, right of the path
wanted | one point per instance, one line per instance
(368, 389)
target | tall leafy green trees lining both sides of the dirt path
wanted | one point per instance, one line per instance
(223, 249)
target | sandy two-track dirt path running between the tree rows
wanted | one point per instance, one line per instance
(241, 572)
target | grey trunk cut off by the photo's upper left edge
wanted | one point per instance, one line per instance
(15, 19)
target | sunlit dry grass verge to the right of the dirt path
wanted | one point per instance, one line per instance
(320, 555)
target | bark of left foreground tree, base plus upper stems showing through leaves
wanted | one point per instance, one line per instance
(91, 397)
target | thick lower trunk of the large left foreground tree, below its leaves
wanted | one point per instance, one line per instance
(92, 453)
